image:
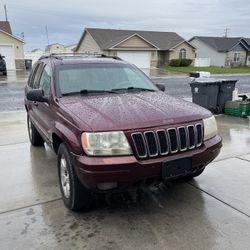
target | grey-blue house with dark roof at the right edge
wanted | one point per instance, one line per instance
(223, 51)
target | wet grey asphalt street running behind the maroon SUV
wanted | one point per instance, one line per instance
(12, 88)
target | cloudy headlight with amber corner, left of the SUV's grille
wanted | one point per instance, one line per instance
(105, 143)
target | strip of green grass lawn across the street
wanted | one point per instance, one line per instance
(212, 70)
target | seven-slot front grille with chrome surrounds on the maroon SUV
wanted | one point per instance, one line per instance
(167, 141)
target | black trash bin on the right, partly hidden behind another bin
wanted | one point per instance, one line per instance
(226, 88)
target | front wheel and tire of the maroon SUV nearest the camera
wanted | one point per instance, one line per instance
(75, 196)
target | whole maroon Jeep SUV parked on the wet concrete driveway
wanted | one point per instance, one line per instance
(112, 128)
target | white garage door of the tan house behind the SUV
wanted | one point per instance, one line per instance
(140, 58)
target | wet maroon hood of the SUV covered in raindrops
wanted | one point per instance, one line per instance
(128, 111)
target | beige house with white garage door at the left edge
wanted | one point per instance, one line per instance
(11, 47)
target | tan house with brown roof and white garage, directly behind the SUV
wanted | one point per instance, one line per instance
(145, 49)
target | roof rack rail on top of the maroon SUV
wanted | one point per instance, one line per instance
(60, 56)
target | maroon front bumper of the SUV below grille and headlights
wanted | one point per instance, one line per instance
(128, 170)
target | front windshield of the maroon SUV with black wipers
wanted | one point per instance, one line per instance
(100, 78)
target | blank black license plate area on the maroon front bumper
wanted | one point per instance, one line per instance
(175, 168)
